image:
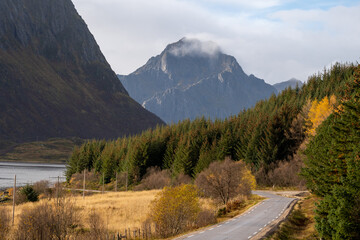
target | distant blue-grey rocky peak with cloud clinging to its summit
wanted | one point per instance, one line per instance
(190, 79)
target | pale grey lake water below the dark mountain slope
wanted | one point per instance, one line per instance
(28, 173)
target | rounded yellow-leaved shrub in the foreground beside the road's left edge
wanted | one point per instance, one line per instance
(175, 210)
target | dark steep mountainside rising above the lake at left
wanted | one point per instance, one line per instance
(54, 80)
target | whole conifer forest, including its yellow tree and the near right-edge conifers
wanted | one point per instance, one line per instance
(312, 131)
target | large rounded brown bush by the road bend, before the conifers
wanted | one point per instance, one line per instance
(225, 180)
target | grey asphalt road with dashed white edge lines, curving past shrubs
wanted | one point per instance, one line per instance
(248, 224)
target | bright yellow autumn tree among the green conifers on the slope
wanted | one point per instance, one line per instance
(318, 112)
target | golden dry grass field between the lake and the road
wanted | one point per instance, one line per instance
(117, 210)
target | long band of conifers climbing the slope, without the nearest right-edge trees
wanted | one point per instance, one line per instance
(265, 137)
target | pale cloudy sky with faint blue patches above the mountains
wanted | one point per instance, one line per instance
(272, 39)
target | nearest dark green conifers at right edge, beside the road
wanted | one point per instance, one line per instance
(333, 170)
